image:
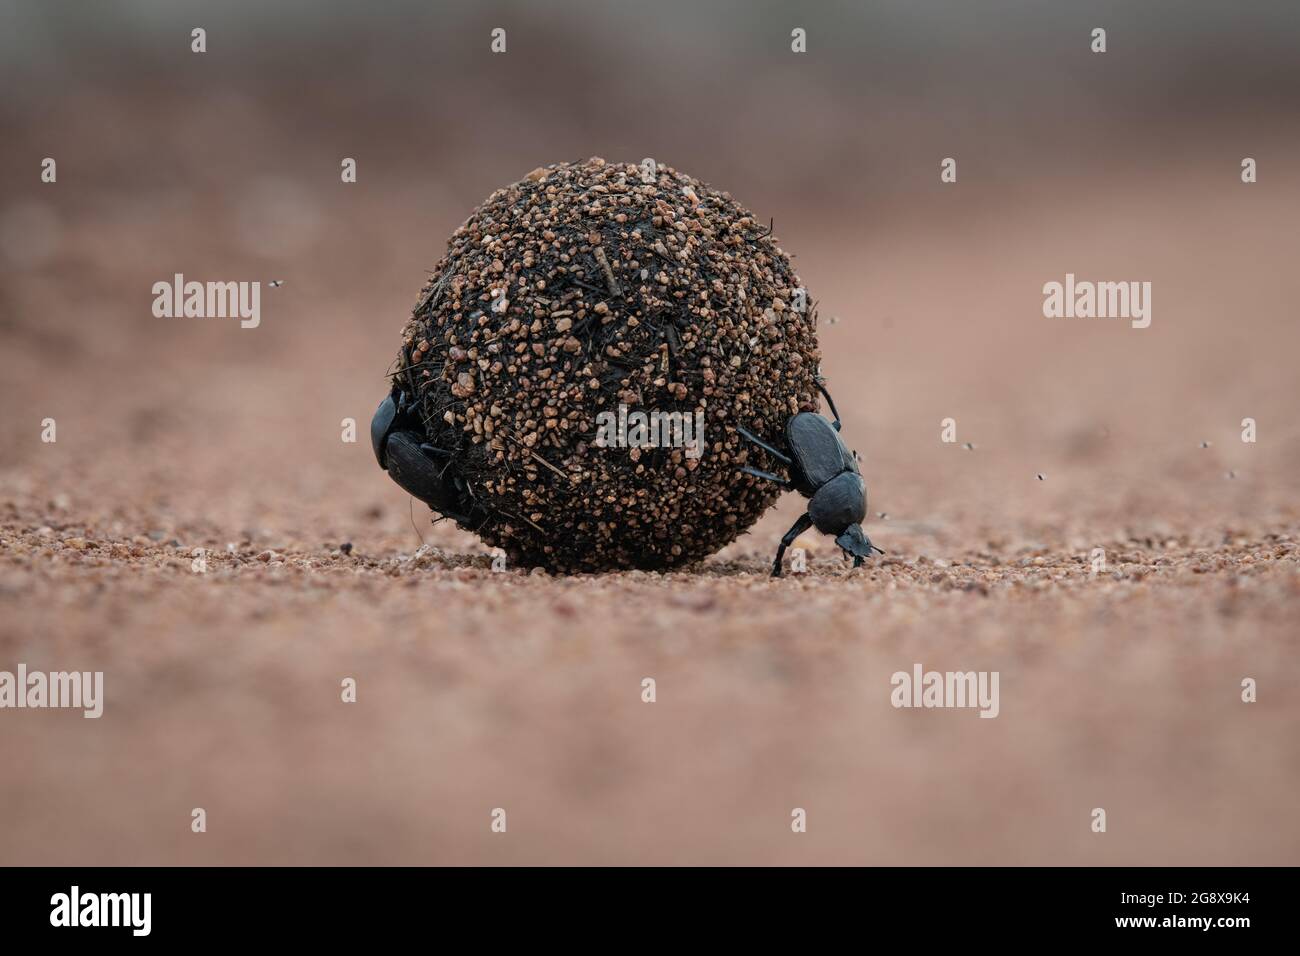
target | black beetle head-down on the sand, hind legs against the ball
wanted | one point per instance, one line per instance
(826, 473)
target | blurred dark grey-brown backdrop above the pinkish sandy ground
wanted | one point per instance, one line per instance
(712, 88)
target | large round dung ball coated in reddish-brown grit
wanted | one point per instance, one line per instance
(587, 349)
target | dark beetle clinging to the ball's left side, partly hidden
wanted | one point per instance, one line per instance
(428, 473)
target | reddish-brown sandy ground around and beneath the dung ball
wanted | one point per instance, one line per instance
(476, 690)
